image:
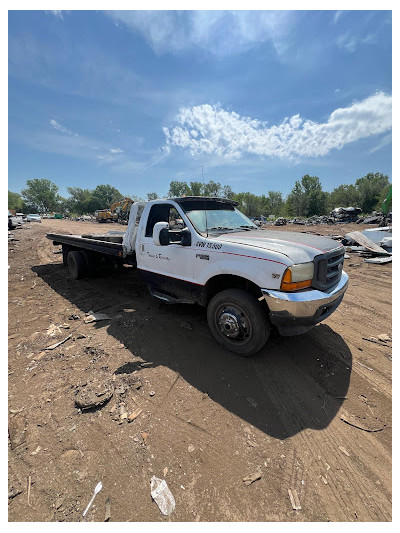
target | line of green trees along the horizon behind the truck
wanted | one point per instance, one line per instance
(307, 198)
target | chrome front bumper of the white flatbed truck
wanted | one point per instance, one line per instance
(296, 312)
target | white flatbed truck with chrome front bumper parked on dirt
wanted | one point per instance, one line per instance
(248, 278)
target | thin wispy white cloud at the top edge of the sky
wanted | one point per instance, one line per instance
(219, 32)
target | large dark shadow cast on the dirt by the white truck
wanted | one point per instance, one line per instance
(294, 383)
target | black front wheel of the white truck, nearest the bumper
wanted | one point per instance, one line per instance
(238, 322)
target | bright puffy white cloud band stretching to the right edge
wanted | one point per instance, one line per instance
(207, 129)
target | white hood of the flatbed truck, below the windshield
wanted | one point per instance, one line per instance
(299, 247)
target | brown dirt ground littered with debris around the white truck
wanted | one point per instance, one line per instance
(310, 414)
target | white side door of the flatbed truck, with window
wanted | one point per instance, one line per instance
(168, 269)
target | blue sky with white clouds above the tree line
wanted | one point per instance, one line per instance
(137, 99)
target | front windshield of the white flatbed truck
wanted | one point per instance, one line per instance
(224, 218)
